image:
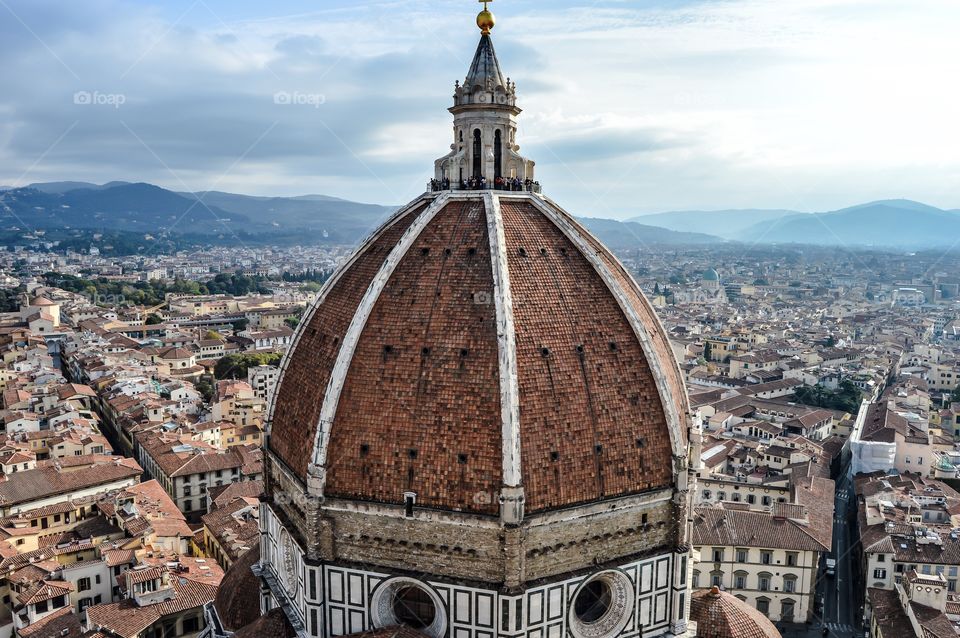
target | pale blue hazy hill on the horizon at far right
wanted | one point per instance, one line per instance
(890, 223)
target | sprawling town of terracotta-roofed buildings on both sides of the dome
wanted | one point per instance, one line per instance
(825, 396)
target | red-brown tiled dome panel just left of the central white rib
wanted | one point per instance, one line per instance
(437, 389)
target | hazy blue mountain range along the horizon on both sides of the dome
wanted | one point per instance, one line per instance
(212, 216)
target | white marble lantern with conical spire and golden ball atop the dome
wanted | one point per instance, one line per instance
(484, 121)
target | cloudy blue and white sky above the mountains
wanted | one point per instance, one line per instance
(630, 107)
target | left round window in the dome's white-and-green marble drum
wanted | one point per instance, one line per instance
(411, 603)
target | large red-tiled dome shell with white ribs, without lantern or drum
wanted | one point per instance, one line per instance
(475, 342)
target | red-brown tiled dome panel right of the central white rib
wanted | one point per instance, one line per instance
(585, 404)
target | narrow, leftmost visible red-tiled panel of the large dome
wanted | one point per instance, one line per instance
(295, 415)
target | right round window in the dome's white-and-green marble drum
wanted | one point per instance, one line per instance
(601, 606)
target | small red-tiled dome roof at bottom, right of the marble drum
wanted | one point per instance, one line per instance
(722, 615)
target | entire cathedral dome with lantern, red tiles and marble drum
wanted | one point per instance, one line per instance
(480, 429)
